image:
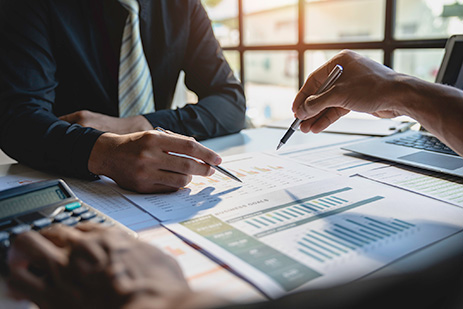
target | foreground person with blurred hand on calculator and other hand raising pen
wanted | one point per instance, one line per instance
(93, 267)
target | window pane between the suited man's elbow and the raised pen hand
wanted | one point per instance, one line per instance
(271, 85)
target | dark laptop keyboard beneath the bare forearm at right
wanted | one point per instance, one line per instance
(420, 141)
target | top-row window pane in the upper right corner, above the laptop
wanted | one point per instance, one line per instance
(428, 18)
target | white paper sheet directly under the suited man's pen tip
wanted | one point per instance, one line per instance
(261, 173)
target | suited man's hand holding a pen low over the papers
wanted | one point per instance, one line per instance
(141, 161)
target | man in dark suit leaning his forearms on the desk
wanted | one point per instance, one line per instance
(59, 81)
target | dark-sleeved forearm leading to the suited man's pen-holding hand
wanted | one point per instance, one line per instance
(37, 138)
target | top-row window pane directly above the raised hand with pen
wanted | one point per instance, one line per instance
(344, 21)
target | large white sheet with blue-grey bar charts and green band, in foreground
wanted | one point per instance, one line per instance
(319, 234)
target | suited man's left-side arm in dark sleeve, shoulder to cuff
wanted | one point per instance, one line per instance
(29, 131)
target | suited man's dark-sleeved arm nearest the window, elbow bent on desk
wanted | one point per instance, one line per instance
(221, 107)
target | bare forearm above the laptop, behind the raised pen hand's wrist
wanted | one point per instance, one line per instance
(438, 108)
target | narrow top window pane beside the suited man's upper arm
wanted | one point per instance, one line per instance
(224, 16)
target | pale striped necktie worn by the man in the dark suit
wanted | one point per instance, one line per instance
(135, 87)
